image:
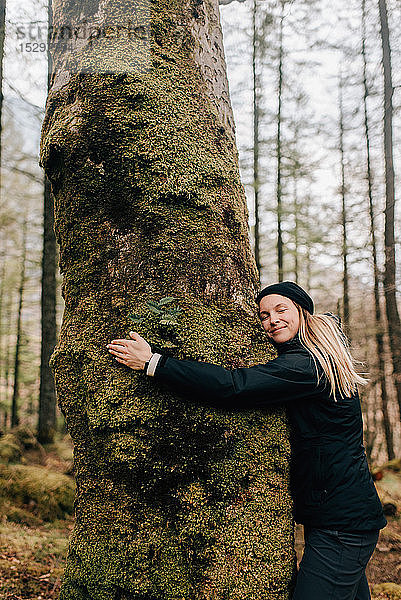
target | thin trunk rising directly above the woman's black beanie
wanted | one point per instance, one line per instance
(256, 110)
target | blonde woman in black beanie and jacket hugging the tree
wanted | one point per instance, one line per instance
(313, 374)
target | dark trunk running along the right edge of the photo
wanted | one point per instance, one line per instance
(393, 317)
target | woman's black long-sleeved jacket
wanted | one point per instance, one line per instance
(330, 480)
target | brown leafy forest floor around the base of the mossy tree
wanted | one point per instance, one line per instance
(33, 550)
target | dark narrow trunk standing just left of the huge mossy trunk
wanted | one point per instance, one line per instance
(47, 392)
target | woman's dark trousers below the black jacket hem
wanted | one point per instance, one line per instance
(333, 565)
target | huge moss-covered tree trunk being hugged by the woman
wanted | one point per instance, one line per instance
(174, 500)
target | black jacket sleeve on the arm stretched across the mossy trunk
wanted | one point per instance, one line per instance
(283, 379)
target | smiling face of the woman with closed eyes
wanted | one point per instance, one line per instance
(280, 317)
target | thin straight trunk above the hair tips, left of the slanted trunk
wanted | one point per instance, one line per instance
(346, 313)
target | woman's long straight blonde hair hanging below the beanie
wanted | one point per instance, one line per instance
(322, 335)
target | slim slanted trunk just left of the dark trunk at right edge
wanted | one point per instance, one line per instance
(378, 316)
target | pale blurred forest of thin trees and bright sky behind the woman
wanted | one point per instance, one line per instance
(307, 88)
